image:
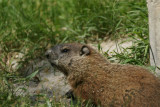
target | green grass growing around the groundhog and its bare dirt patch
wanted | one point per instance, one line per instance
(29, 27)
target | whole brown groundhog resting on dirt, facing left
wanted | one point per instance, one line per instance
(94, 79)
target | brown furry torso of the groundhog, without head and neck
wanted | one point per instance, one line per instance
(122, 85)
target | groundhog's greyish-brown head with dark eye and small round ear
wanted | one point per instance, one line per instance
(64, 55)
